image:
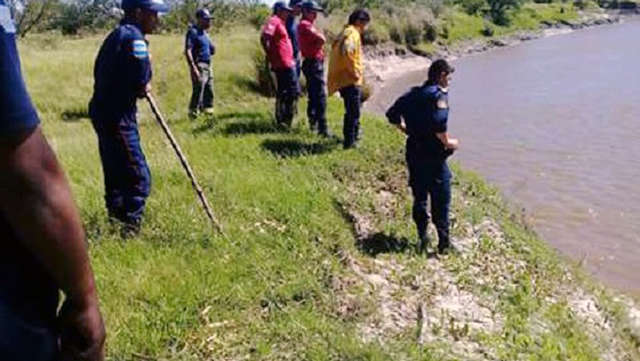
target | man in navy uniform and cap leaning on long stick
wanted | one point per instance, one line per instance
(122, 74)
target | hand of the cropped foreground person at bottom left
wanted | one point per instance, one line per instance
(82, 332)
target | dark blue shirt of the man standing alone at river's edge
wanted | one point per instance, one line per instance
(425, 110)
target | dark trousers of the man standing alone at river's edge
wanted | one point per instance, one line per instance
(430, 178)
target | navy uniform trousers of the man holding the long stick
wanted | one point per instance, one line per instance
(127, 178)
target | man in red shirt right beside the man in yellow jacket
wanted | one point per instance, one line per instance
(312, 42)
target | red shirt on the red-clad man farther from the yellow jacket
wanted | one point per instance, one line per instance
(280, 51)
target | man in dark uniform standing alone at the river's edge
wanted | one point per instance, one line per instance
(422, 113)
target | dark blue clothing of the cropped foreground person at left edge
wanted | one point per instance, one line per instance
(28, 296)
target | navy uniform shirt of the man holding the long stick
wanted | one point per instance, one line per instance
(121, 71)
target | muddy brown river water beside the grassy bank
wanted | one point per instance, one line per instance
(555, 124)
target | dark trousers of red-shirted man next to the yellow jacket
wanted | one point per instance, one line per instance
(317, 106)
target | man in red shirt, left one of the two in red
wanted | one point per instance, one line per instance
(277, 45)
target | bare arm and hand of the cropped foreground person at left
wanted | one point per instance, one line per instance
(36, 200)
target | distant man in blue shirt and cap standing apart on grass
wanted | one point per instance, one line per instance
(198, 50)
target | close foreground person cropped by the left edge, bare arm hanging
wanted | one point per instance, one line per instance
(42, 243)
